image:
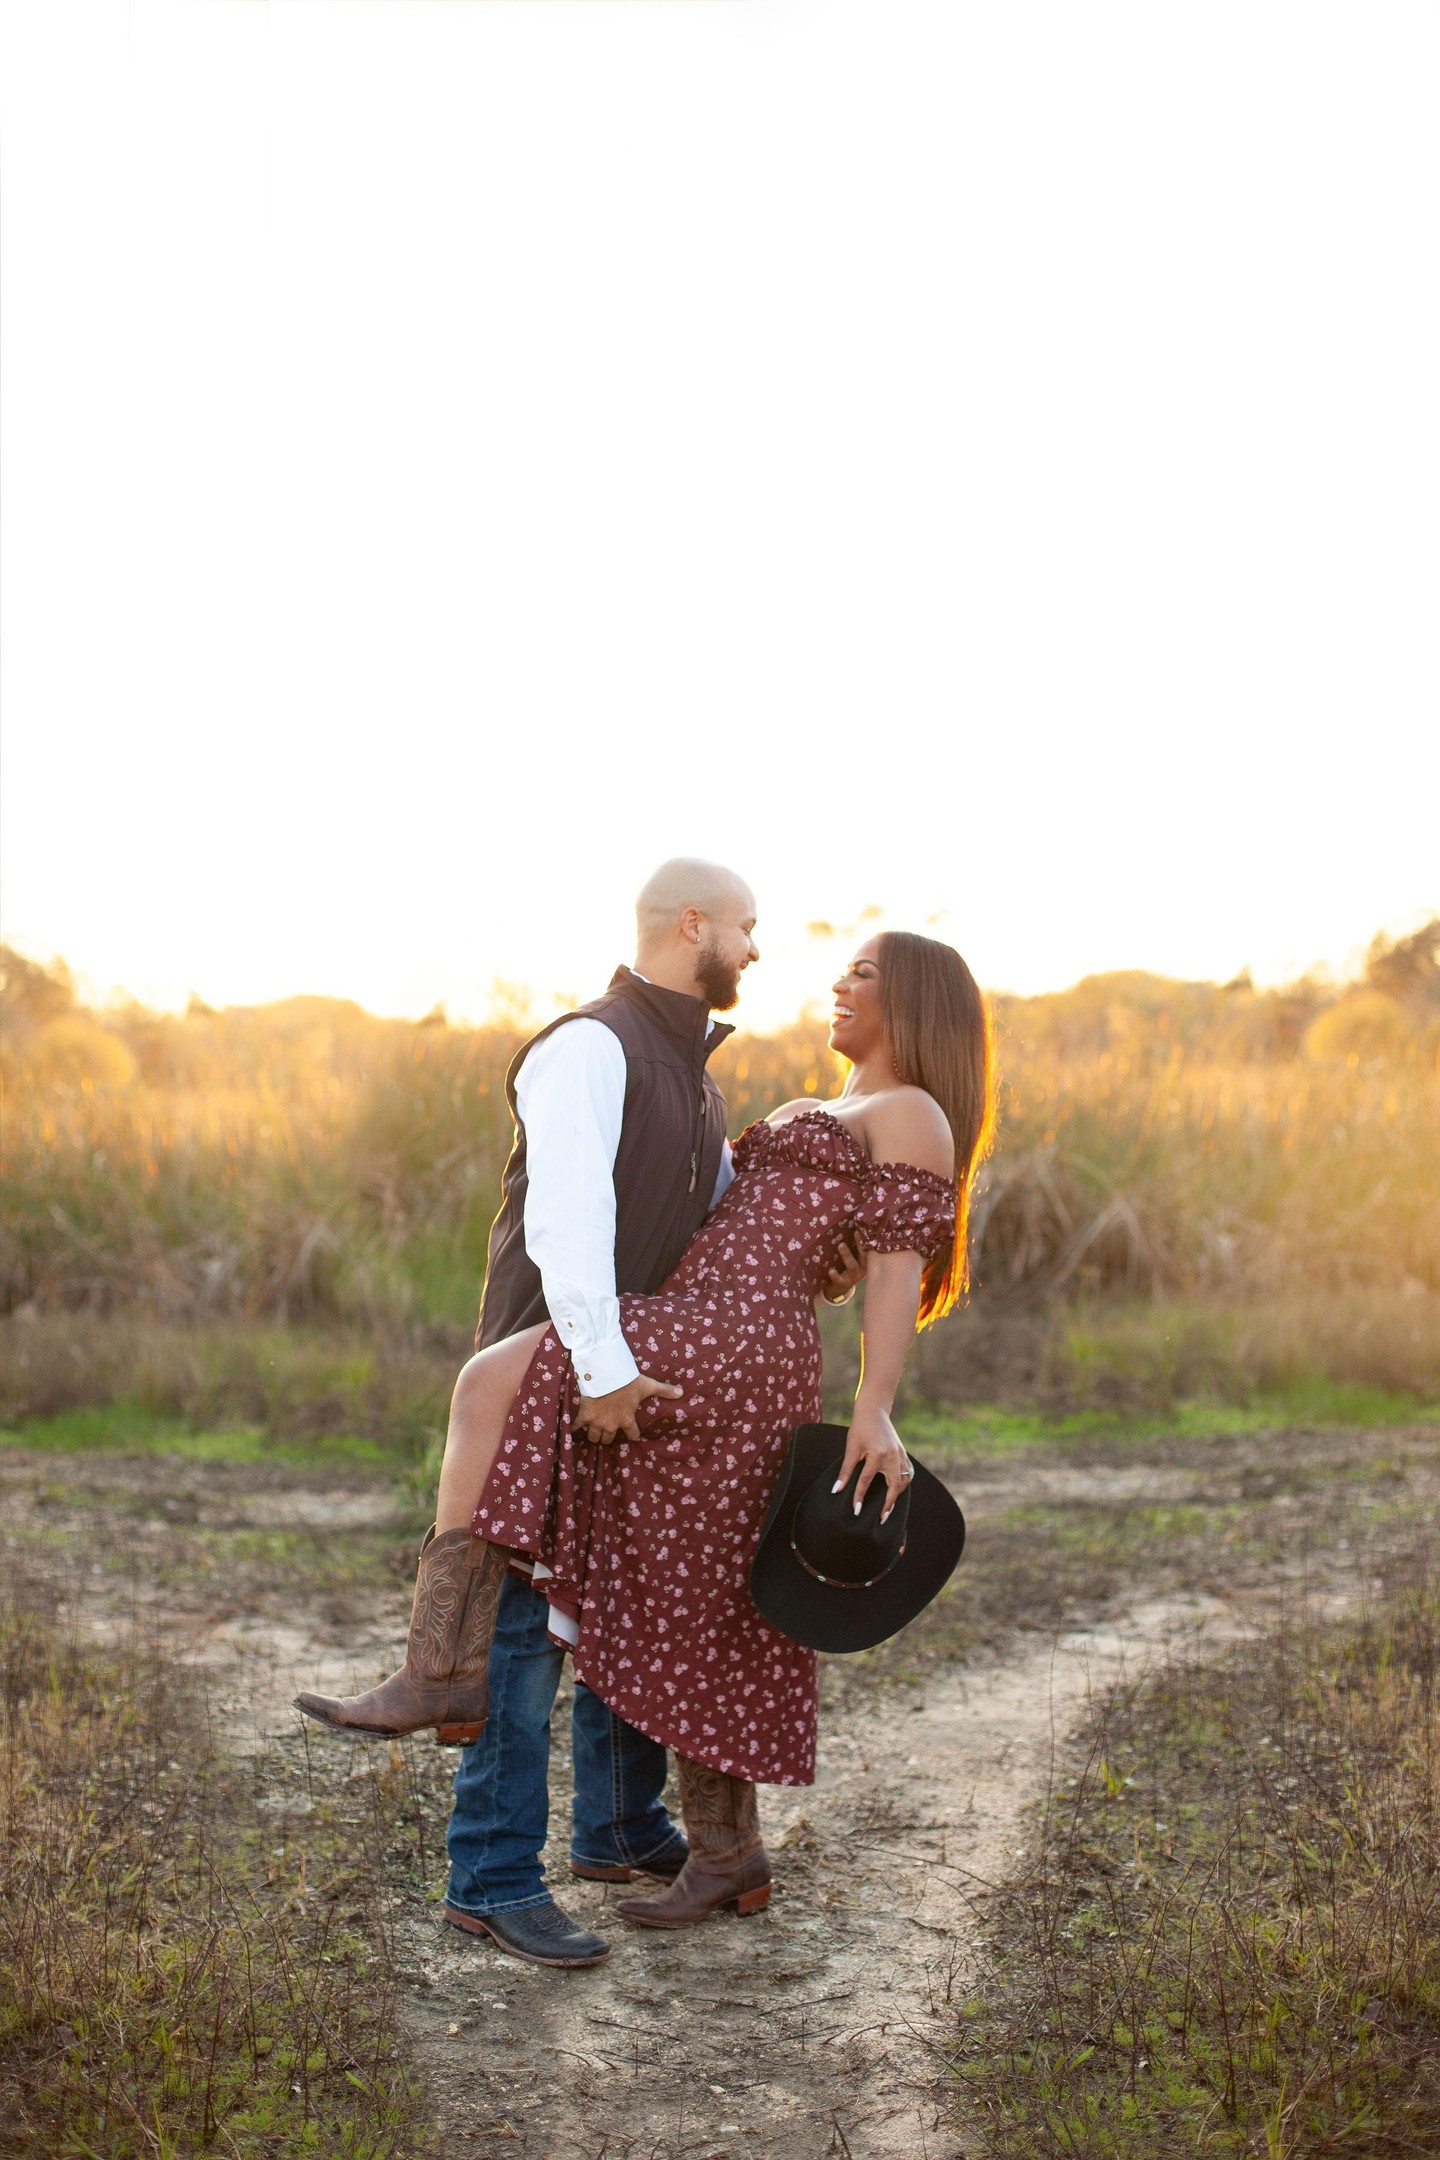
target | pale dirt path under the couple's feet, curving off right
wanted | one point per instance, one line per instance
(819, 2027)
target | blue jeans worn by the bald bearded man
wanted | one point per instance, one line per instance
(502, 1790)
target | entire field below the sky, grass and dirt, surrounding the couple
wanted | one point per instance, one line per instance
(1042, 1900)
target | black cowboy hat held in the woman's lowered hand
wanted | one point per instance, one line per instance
(837, 1580)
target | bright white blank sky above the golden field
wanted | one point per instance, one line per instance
(968, 459)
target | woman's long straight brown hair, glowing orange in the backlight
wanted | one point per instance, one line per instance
(940, 1036)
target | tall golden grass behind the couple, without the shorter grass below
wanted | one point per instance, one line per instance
(308, 1159)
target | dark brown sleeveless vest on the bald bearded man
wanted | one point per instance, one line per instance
(668, 1159)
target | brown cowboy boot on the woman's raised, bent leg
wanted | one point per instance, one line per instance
(446, 1677)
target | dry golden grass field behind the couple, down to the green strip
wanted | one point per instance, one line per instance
(1197, 1189)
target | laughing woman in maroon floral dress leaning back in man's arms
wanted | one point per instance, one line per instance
(644, 1548)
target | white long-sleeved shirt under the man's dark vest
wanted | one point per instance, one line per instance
(571, 1103)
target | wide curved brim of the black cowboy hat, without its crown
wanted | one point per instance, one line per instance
(826, 1617)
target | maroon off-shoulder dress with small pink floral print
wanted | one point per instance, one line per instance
(649, 1543)
